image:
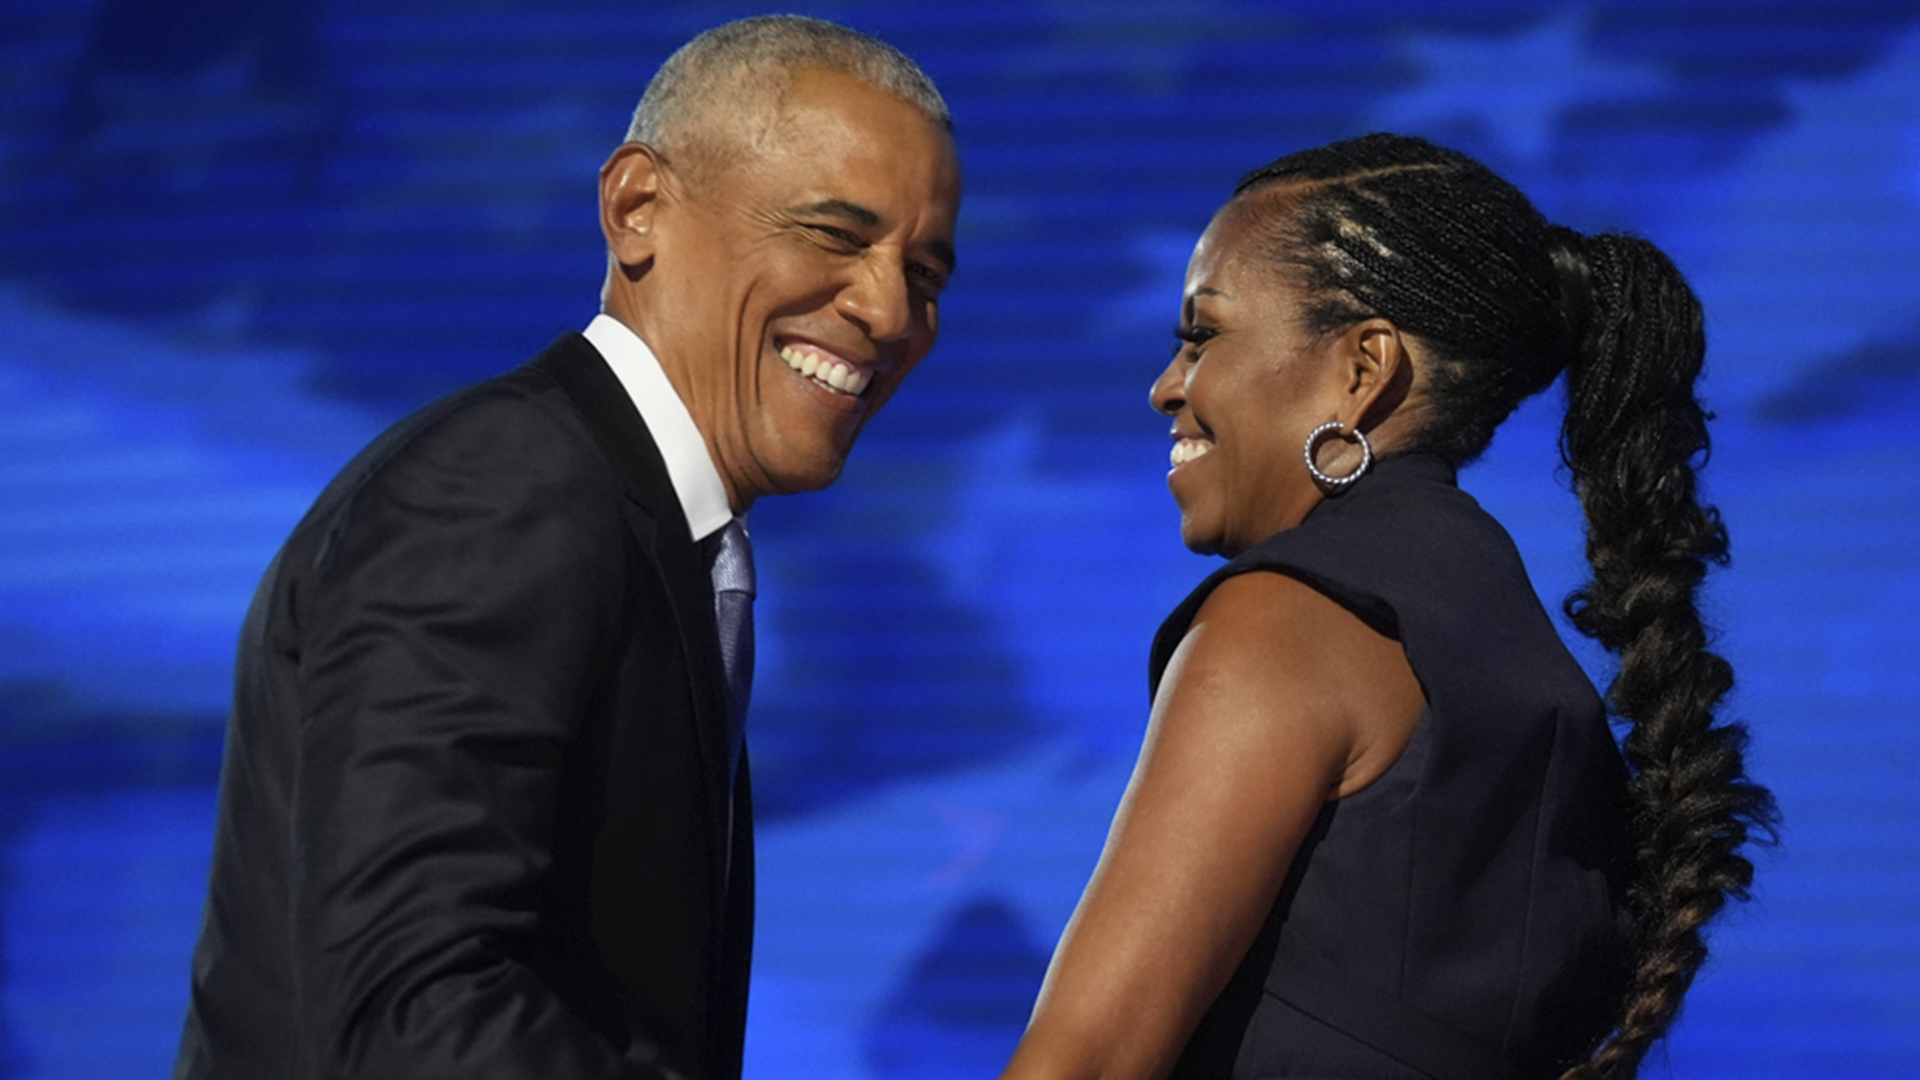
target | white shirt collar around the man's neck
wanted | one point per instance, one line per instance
(688, 464)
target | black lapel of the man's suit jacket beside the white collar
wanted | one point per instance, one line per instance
(623, 437)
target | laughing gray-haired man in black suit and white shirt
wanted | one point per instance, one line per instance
(485, 808)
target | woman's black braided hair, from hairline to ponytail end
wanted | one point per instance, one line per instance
(1504, 303)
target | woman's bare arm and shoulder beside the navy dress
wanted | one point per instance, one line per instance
(1276, 702)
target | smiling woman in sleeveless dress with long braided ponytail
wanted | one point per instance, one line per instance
(1380, 825)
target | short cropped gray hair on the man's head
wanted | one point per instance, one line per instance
(752, 62)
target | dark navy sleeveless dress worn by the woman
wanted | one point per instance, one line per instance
(1458, 920)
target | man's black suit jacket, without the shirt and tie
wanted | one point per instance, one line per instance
(475, 808)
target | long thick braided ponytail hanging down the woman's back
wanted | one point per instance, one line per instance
(1631, 437)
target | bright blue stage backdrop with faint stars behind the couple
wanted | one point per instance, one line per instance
(239, 239)
